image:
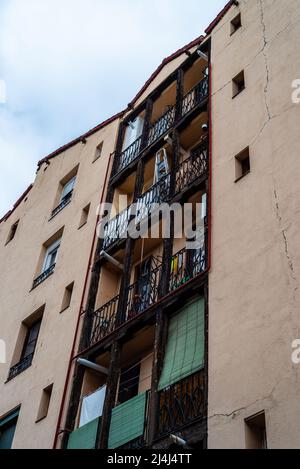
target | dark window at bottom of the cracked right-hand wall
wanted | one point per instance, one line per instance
(255, 432)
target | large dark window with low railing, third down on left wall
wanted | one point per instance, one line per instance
(26, 343)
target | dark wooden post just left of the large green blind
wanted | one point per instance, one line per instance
(161, 335)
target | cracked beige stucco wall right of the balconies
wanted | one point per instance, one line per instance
(254, 304)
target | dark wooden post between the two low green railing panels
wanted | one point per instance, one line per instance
(111, 390)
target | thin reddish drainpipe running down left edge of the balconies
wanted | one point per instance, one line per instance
(90, 263)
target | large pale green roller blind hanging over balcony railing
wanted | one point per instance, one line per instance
(185, 347)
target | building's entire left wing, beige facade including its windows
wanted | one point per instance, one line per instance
(46, 241)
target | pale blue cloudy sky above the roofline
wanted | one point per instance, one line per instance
(70, 64)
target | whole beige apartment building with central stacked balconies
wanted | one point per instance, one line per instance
(181, 339)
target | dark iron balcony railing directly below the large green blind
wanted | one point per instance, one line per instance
(181, 404)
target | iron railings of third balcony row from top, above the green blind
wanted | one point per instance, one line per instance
(145, 293)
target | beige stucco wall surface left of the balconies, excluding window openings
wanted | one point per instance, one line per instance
(19, 261)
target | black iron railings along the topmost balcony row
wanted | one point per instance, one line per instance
(163, 125)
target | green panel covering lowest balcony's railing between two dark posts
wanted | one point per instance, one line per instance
(127, 421)
